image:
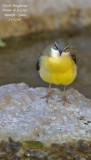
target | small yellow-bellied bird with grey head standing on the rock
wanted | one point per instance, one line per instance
(57, 64)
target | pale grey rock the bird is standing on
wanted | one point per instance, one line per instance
(25, 115)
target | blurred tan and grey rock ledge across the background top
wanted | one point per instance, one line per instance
(67, 16)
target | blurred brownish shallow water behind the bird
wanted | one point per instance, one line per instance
(18, 60)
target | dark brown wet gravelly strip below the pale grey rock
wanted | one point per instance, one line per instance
(77, 150)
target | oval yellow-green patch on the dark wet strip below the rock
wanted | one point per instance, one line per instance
(33, 144)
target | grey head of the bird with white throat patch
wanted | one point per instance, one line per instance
(57, 50)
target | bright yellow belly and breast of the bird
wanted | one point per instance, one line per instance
(57, 70)
